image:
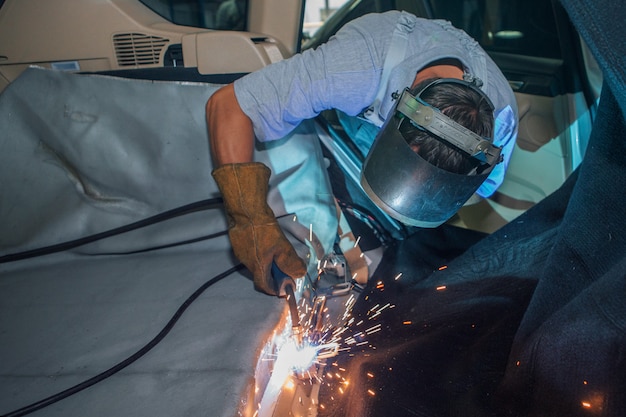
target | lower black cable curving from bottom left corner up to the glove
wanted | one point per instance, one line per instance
(121, 365)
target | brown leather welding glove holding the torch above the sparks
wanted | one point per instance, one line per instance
(254, 233)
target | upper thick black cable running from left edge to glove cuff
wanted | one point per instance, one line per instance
(166, 215)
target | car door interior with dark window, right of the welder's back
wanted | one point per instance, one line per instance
(550, 79)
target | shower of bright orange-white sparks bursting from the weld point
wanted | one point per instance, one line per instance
(323, 338)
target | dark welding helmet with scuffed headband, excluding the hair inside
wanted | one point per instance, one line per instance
(408, 187)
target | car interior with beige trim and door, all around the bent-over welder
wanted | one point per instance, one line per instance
(544, 60)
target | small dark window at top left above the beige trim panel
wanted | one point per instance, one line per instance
(209, 14)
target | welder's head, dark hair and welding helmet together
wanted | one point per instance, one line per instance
(432, 153)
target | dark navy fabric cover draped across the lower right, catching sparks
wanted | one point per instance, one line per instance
(529, 321)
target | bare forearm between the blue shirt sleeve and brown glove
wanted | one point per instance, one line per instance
(231, 135)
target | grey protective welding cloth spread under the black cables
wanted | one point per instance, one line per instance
(82, 154)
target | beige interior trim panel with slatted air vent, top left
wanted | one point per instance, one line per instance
(103, 35)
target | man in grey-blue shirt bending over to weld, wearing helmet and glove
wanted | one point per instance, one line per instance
(434, 114)
